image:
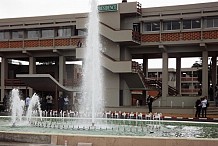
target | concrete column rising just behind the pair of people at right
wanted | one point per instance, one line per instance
(205, 73)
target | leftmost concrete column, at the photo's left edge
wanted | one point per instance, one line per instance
(3, 67)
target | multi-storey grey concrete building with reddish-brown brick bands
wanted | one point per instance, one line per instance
(127, 31)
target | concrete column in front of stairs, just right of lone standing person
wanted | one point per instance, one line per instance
(164, 78)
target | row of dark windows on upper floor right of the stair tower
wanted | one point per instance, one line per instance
(181, 24)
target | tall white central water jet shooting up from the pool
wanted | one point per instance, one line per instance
(91, 102)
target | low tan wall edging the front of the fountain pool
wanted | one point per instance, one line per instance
(101, 140)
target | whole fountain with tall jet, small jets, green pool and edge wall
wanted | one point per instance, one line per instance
(94, 125)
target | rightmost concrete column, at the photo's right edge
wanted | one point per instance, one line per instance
(214, 73)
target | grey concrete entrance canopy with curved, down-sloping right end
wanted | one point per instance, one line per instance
(43, 82)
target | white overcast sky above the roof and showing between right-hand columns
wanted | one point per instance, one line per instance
(28, 8)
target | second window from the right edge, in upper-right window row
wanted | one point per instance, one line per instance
(191, 24)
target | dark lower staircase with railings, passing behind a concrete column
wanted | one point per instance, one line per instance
(152, 84)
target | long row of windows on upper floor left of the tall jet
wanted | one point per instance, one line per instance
(41, 33)
